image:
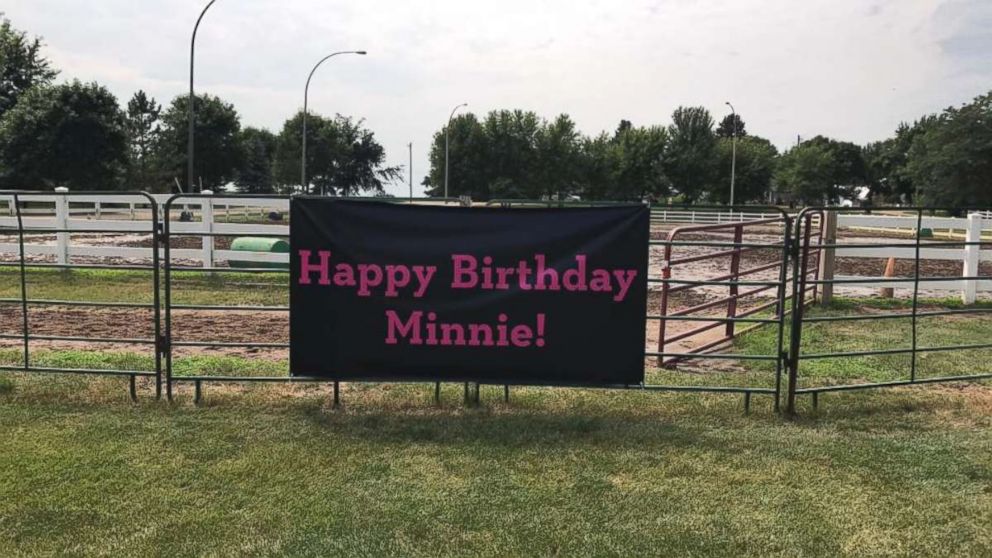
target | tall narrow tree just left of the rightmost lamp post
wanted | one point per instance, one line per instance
(691, 152)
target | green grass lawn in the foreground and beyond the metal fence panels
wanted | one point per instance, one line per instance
(273, 470)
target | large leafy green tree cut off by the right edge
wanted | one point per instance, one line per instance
(950, 160)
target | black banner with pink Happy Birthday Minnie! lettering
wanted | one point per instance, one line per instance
(385, 291)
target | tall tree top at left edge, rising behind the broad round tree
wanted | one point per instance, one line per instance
(21, 65)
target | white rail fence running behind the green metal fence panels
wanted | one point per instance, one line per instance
(130, 214)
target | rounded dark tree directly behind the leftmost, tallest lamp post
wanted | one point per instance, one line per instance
(218, 154)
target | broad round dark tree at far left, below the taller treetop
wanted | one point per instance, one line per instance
(70, 135)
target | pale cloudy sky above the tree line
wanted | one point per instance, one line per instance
(850, 69)
